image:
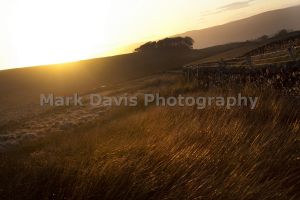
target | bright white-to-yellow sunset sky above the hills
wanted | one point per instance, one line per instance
(35, 32)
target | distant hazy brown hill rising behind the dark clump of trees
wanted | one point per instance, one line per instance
(253, 27)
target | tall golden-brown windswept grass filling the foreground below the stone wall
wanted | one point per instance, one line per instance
(166, 152)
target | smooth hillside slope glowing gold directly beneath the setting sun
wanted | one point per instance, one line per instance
(24, 85)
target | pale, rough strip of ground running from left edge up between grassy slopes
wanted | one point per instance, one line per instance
(30, 122)
